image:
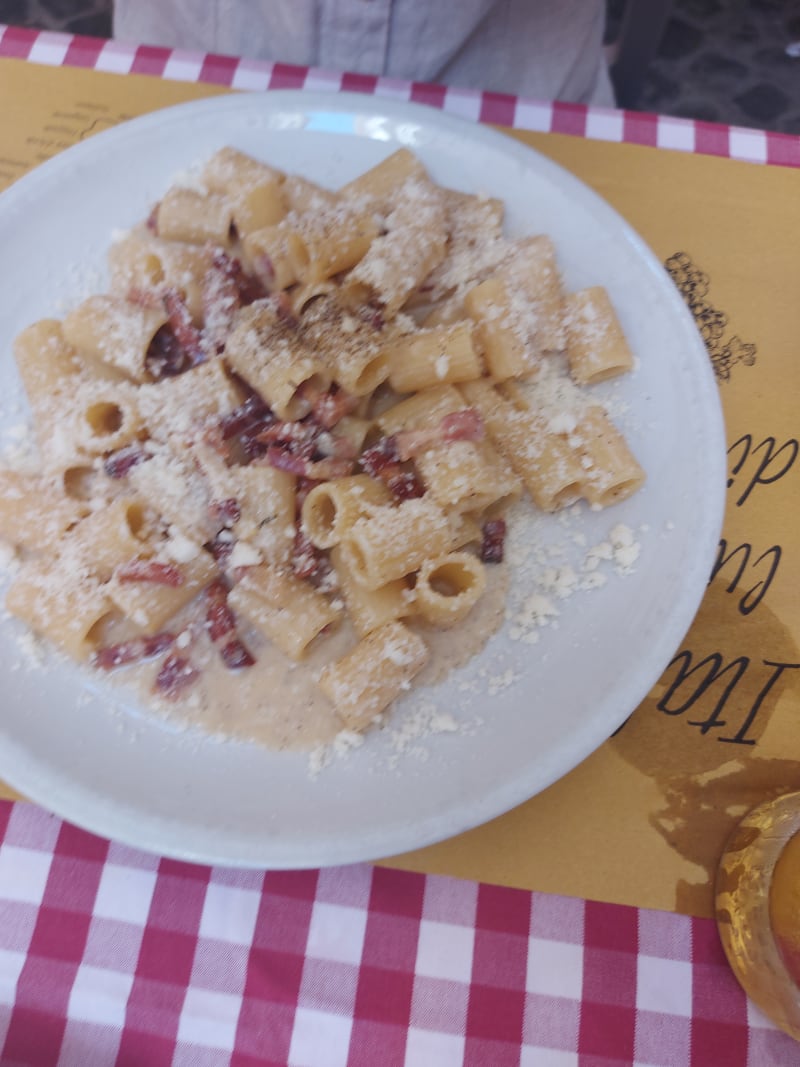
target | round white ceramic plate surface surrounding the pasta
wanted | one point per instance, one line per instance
(542, 708)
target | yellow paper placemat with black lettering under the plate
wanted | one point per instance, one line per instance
(644, 820)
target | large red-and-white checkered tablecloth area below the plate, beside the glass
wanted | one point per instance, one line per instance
(111, 957)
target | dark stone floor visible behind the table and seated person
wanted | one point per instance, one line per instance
(719, 60)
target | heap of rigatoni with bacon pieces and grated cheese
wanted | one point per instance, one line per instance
(295, 423)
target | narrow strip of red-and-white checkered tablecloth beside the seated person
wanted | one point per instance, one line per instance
(683, 135)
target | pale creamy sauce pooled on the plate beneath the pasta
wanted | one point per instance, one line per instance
(278, 704)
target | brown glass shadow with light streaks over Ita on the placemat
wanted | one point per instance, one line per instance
(697, 735)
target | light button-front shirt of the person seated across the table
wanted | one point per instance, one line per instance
(548, 50)
